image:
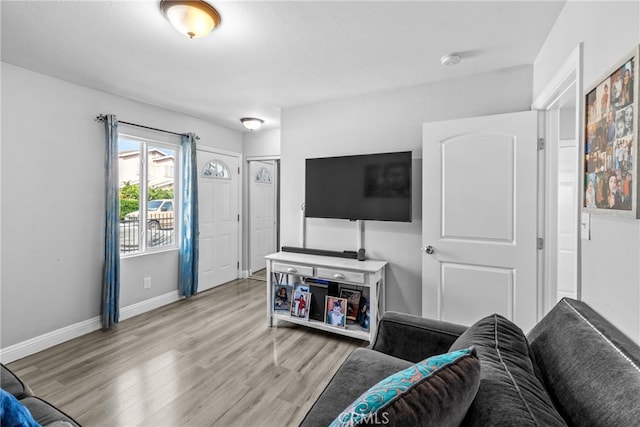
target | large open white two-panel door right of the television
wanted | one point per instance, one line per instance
(479, 210)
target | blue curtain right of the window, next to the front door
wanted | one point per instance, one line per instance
(188, 269)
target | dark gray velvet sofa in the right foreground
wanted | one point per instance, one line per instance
(573, 368)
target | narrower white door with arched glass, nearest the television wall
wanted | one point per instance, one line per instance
(262, 213)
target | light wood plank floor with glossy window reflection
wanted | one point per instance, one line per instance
(207, 361)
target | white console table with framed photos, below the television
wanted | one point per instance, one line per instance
(367, 276)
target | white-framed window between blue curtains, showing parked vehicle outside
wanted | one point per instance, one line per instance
(147, 173)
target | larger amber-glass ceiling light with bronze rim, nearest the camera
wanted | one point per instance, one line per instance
(193, 18)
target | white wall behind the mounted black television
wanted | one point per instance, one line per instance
(384, 122)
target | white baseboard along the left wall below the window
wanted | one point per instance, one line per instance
(42, 342)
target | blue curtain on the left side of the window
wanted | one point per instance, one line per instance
(111, 267)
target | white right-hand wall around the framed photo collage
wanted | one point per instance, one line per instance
(611, 259)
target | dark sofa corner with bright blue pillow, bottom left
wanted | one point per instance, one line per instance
(44, 413)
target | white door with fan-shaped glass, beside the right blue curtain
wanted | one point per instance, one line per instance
(218, 218)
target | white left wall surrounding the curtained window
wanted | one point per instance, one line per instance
(53, 207)
